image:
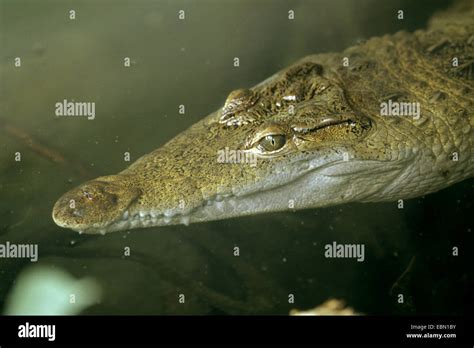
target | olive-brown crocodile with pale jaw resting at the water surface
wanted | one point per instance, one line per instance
(315, 134)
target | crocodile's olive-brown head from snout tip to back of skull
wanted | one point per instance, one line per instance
(294, 141)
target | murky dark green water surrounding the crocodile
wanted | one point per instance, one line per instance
(190, 62)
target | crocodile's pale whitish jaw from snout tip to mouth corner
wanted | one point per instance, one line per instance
(317, 185)
